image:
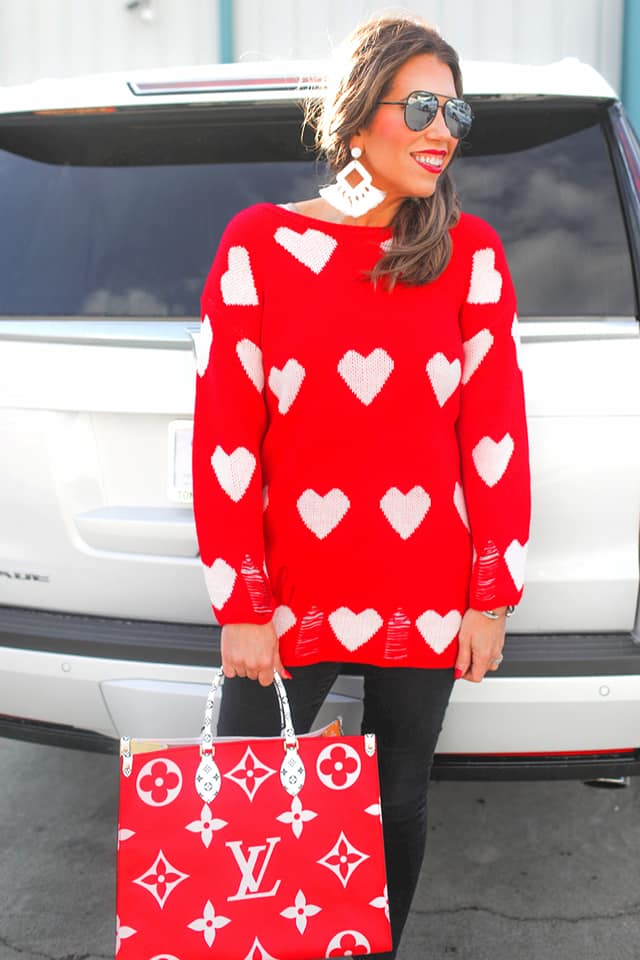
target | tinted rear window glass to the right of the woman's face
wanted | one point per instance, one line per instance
(557, 210)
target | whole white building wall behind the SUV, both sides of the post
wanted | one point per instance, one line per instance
(65, 37)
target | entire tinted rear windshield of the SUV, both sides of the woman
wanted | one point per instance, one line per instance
(125, 222)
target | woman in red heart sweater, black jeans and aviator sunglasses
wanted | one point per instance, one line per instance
(361, 482)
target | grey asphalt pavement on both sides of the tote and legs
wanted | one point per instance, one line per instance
(544, 871)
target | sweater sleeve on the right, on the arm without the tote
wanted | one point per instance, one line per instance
(492, 429)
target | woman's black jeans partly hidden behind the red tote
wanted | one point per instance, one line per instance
(405, 708)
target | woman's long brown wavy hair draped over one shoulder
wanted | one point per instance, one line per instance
(366, 66)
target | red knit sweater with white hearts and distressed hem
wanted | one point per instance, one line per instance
(360, 458)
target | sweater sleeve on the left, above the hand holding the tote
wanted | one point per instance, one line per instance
(229, 423)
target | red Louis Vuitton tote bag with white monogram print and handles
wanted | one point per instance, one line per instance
(261, 849)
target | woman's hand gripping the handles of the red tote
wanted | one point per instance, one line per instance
(251, 650)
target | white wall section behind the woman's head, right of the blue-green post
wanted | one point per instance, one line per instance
(525, 31)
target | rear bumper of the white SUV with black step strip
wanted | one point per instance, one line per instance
(576, 718)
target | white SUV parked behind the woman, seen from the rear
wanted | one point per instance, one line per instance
(113, 193)
